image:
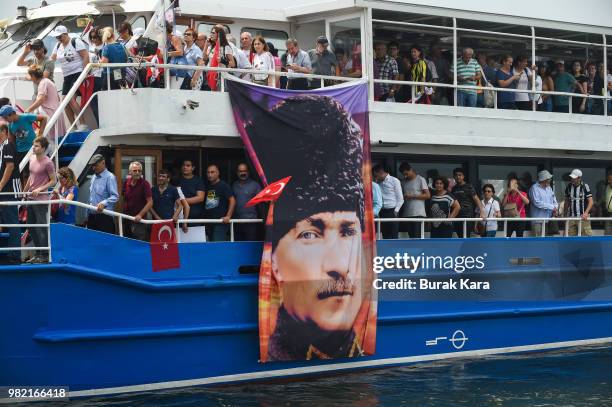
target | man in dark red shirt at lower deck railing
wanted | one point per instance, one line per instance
(137, 201)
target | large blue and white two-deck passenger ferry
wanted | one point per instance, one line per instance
(97, 320)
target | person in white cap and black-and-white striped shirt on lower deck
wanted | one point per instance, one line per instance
(578, 204)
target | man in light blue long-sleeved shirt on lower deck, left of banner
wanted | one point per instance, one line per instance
(103, 195)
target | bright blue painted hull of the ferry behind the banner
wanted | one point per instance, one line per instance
(100, 321)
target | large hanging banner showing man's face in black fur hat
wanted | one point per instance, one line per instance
(315, 295)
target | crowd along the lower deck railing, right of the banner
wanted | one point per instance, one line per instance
(445, 199)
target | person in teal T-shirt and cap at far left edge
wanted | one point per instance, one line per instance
(20, 126)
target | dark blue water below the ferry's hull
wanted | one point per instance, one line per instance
(576, 377)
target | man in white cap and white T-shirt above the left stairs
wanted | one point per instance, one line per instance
(73, 57)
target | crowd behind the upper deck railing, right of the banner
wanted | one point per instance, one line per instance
(511, 72)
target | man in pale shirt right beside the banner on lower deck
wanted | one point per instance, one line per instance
(393, 200)
